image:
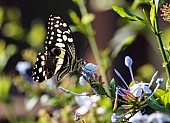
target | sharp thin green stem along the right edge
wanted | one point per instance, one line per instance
(161, 47)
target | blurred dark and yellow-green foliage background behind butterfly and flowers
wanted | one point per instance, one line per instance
(23, 27)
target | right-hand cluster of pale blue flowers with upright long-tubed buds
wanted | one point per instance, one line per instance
(133, 96)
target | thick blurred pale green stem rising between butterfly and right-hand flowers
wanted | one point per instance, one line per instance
(93, 44)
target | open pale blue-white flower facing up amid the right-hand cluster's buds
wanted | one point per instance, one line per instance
(137, 89)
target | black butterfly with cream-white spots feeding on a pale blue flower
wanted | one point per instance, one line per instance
(59, 57)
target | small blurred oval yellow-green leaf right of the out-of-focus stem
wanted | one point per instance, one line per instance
(88, 18)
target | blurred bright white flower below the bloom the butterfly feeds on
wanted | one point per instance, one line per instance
(85, 103)
